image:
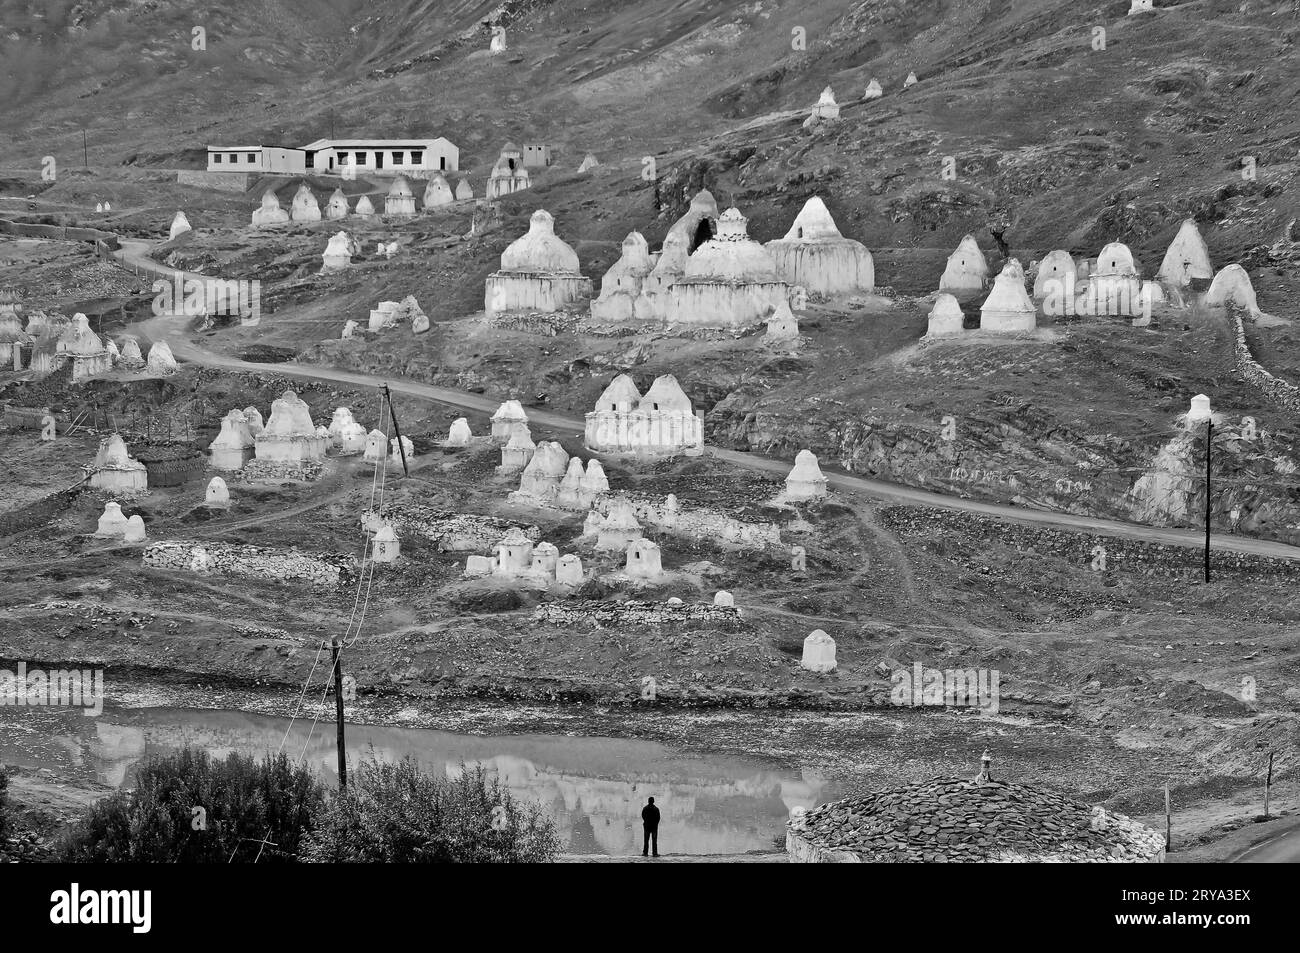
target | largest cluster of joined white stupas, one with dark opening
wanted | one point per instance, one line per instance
(710, 272)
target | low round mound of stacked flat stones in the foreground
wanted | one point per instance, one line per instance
(950, 821)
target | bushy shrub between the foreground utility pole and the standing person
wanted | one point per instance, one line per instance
(395, 813)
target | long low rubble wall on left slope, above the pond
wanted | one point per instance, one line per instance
(255, 562)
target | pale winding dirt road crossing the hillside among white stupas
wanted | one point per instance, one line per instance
(135, 254)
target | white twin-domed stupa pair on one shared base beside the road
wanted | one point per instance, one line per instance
(657, 424)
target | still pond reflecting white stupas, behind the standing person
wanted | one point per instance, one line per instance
(592, 787)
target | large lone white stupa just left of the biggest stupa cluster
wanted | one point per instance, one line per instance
(539, 272)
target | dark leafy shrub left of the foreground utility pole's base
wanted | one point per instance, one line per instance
(245, 802)
